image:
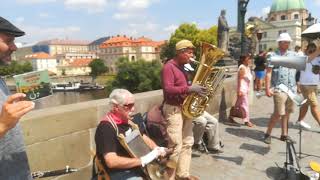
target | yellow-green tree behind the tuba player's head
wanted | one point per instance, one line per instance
(192, 33)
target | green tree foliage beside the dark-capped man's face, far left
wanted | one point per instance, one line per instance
(15, 68)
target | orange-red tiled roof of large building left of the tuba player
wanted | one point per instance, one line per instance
(124, 41)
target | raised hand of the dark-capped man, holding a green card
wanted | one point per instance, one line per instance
(12, 110)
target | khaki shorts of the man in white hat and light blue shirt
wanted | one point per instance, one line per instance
(282, 103)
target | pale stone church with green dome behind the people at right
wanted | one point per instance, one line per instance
(284, 16)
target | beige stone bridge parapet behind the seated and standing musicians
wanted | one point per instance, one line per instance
(64, 135)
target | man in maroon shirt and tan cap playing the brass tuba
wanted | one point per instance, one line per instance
(175, 89)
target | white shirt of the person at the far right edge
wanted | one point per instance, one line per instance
(307, 77)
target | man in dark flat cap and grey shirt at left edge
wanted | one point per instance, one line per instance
(13, 158)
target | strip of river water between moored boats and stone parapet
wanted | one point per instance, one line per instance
(63, 98)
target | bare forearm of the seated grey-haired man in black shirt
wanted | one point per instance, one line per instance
(114, 161)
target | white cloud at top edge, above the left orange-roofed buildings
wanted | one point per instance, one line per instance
(91, 6)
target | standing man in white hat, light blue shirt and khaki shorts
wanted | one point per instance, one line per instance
(283, 105)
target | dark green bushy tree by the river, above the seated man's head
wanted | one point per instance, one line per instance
(138, 76)
